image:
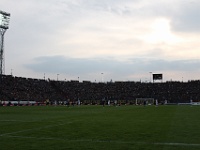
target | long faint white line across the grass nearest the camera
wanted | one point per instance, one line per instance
(105, 141)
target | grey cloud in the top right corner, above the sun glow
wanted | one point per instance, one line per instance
(183, 15)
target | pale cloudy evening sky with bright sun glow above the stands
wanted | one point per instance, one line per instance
(103, 40)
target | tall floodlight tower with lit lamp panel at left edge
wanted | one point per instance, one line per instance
(4, 23)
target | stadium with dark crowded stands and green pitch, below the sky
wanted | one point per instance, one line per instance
(85, 115)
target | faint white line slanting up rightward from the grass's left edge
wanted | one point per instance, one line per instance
(32, 129)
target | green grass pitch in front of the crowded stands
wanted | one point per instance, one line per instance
(95, 127)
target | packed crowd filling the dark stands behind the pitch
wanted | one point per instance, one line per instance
(18, 88)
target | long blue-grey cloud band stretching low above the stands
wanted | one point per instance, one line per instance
(69, 65)
